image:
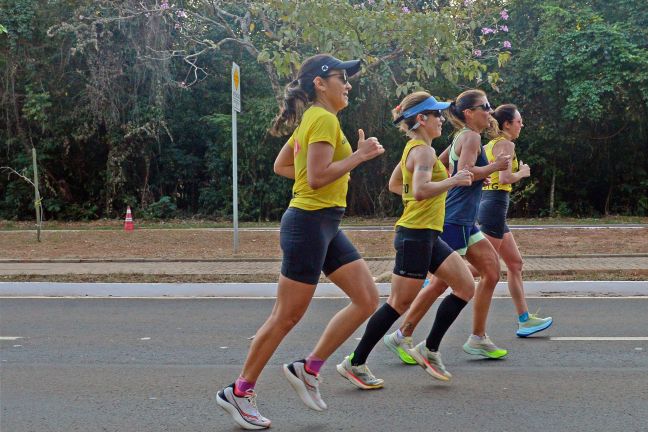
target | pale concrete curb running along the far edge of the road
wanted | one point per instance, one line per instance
(181, 290)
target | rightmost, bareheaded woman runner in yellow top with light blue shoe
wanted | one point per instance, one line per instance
(492, 214)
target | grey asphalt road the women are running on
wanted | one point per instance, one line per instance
(154, 365)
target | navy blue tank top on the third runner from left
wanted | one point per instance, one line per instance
(462, 202)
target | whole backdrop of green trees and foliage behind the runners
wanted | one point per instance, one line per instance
(129, 104)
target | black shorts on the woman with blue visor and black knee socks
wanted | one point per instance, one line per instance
(418, 251)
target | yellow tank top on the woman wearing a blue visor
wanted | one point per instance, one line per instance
(424, 214)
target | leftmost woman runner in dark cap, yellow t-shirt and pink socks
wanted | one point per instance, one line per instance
(319, 158)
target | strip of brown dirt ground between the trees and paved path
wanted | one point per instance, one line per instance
(214, 244)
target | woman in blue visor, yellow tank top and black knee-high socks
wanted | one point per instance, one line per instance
(423, 183)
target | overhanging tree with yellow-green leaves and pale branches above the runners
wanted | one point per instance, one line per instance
(405, 43)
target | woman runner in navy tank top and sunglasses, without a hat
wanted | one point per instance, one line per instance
(470, 115)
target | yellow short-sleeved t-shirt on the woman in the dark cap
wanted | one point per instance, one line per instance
(318, 125)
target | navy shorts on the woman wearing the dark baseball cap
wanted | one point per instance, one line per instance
(312, 242)
